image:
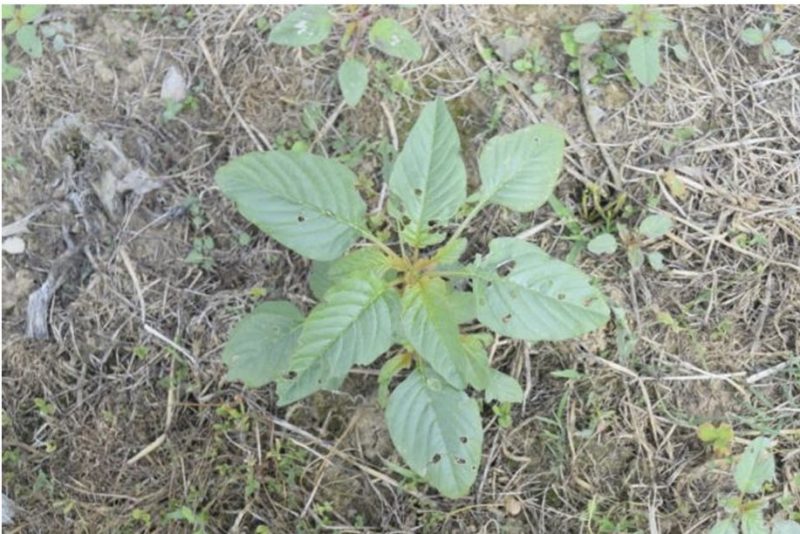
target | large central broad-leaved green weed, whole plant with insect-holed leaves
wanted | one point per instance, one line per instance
(410, 295)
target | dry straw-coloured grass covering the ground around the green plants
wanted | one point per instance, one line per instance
(136, 332)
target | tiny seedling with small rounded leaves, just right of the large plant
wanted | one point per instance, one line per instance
(651, 227)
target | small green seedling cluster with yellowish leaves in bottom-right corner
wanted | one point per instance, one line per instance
(753, 473)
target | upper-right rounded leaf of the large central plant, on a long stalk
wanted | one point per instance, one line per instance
(519, 170)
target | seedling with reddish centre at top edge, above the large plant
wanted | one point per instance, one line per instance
(310, 25)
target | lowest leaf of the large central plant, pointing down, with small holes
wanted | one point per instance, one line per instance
(437, 430)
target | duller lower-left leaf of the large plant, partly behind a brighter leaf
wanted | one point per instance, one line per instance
(260, 345)
